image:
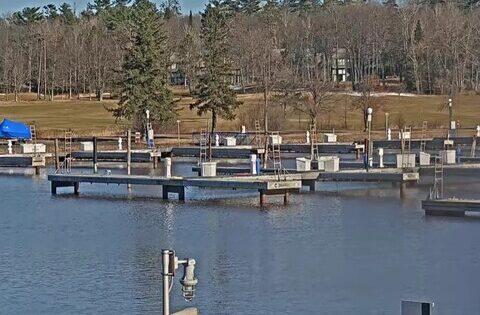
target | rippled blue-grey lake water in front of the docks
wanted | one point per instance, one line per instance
(346, 250)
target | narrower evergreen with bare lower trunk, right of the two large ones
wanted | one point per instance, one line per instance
(214, 93)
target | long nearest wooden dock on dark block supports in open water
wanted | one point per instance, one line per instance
(266, 185)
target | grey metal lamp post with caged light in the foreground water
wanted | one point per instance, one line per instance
(189, 282)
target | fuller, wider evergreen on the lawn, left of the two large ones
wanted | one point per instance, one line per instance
(144, 83)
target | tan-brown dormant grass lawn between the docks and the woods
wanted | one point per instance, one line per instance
(91, 117)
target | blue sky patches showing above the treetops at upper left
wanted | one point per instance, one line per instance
(16, 5)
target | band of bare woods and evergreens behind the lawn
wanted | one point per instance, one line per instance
(291, 50)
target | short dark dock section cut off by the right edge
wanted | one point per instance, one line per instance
(450, 207)
